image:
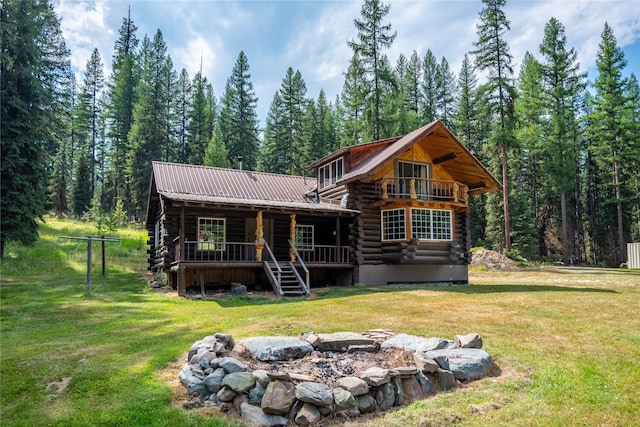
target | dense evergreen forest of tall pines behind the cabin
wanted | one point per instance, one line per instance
(565, 147)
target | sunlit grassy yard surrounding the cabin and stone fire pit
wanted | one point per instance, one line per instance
(567, 341)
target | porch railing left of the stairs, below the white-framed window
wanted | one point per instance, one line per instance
(216, 252)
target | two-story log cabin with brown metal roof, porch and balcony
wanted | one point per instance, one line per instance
(388, 211)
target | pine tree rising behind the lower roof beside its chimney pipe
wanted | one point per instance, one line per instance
(238, 121)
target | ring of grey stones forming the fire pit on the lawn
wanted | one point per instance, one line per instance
(285, 380)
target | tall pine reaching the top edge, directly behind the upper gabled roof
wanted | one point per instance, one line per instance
(373, 37)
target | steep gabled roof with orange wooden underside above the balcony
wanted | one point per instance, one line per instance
(441, 144)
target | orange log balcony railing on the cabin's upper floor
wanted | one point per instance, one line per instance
(422, 189)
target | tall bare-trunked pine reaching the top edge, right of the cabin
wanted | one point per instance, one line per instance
(493, 56)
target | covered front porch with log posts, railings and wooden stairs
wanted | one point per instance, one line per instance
(260, 248)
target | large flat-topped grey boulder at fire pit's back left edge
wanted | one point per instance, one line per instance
(273, 349)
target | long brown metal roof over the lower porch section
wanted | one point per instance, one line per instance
(193, 183)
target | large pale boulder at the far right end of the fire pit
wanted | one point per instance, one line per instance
(464, 363)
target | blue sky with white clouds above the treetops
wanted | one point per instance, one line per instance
(311, 36)
